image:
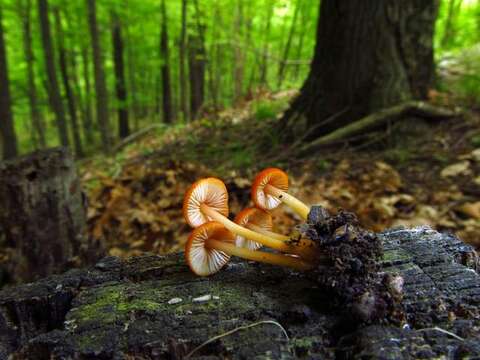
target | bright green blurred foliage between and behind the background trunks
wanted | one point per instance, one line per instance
(235, 41)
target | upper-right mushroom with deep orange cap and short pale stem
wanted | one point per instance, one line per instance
(270, 188)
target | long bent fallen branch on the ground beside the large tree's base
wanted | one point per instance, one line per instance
(377, 119)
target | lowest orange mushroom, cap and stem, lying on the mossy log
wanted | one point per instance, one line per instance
(210, 246)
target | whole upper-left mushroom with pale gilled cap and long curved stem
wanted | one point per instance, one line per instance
(207, 200)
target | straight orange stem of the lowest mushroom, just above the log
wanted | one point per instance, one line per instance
(259, 256)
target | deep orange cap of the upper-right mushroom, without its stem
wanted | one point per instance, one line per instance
(271, 176)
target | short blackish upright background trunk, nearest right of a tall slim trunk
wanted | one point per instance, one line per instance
(117, 42)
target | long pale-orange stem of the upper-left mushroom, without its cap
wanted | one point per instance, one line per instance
(302, 249)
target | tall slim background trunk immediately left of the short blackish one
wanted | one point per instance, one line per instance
(100, 84)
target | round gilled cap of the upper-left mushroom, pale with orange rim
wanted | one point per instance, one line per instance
(210, 191)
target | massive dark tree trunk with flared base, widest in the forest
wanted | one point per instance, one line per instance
(369, 55)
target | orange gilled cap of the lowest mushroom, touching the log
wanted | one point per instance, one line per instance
(202, 260)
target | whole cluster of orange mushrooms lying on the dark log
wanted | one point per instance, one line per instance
(215, 237)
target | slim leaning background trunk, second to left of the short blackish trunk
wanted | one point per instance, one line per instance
(72, 108)
